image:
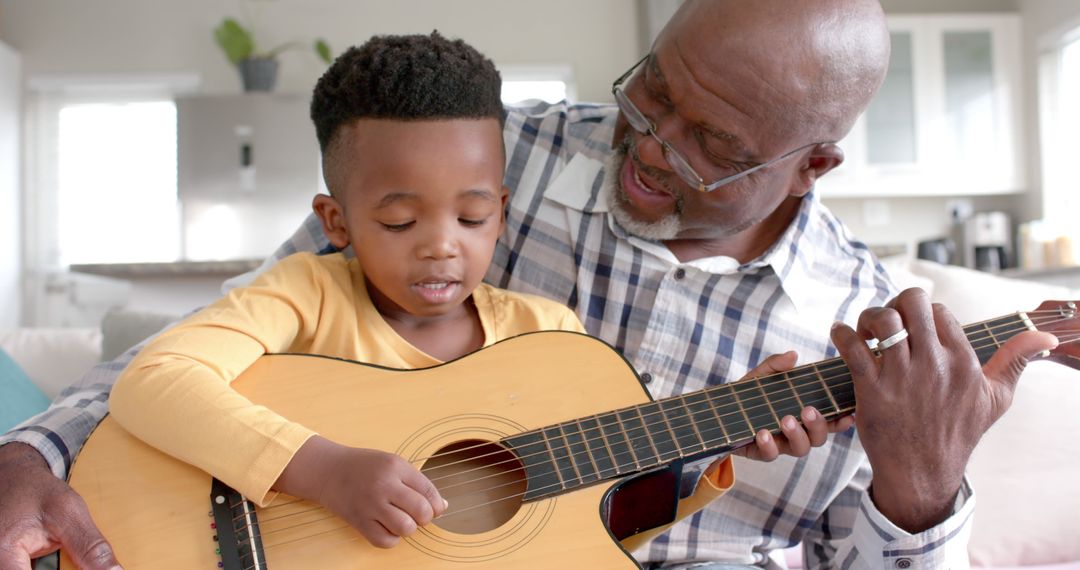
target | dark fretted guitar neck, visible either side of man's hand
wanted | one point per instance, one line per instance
(586, 451)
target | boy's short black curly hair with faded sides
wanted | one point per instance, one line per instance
(406, 78)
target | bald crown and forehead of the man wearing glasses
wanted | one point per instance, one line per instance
(812, 66)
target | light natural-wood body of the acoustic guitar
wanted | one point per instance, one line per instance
(155, 510)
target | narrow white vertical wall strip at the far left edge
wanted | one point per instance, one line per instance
(11, 118)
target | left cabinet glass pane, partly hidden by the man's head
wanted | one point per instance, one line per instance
(890, 119)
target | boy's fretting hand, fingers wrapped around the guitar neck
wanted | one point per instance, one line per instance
(794, 440)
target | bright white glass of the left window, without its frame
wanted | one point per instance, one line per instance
(116, 183)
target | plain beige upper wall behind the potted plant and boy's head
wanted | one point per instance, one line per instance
(63, 37)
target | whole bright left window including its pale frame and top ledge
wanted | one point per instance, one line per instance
(102, 183)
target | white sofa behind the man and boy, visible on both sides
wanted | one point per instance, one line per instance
(1024, 470)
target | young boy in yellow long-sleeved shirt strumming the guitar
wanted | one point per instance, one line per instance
(412, 142)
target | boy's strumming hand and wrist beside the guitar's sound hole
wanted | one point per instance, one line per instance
(380, 494)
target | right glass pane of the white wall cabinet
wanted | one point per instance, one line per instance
(969, 96)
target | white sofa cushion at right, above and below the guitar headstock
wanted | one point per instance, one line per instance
(1024, 470)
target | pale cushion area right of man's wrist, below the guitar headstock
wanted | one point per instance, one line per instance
(1025, 472)
